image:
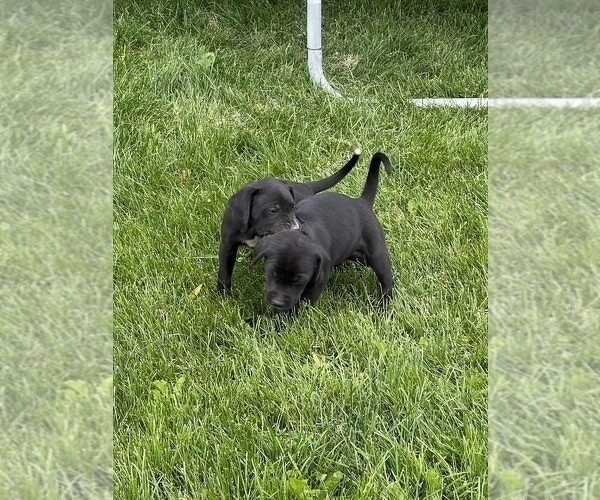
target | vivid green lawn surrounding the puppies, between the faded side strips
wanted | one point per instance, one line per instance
(348, 399)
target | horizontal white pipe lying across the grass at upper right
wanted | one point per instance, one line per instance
(511, 102)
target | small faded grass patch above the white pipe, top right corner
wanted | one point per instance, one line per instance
(544, 49)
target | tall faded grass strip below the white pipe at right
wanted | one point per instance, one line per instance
(544, 323)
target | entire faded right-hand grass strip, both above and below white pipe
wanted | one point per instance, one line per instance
(544, 264)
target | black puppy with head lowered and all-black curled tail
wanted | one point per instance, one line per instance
(334, 228)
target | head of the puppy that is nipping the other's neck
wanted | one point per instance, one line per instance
(264, 207)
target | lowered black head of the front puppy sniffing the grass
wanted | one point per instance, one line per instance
(293, 264)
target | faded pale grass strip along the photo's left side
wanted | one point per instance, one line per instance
(55, 263)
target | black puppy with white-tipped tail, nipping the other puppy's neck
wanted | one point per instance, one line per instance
(265, 207)
